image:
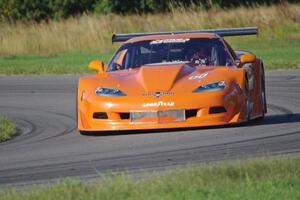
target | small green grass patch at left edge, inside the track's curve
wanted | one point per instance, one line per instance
(7, 129)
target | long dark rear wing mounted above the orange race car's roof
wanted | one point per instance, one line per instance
(219, 32)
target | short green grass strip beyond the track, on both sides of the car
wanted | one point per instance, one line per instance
(276, 54)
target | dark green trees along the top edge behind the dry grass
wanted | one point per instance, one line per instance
(38, 10)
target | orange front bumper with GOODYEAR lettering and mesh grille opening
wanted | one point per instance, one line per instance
(198, 109)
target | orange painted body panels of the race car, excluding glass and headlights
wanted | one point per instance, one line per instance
(176, 83)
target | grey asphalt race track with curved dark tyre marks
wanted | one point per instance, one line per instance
(49, 146)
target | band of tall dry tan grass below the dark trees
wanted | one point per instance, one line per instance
(93, 32)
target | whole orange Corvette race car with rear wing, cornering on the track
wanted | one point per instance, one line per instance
(173, 80)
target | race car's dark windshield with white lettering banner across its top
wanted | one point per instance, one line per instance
(196, 51)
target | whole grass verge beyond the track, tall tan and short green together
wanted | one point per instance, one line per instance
(67, 46)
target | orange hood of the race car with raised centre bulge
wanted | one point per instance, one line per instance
(163, 78)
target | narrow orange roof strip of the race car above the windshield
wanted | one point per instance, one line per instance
(174, 36)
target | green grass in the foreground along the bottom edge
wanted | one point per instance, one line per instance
(253, 179)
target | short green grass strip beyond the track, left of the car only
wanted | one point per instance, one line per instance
(59, 63)
